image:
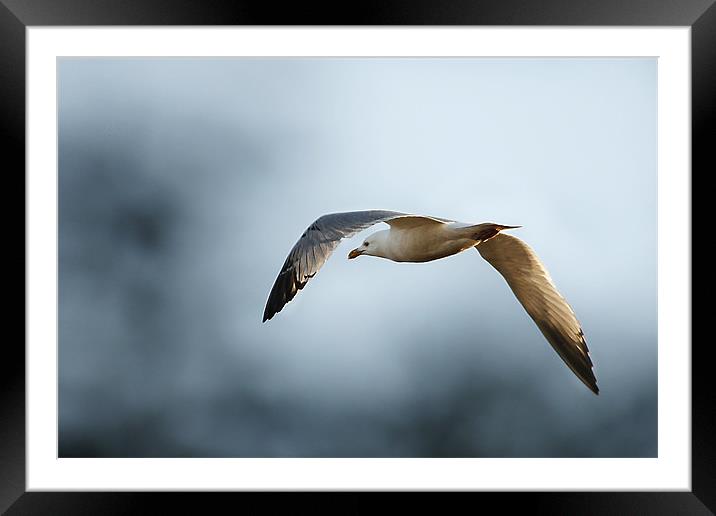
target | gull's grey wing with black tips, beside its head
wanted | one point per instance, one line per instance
(313, 249)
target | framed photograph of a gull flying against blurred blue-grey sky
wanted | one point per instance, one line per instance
(357, 257)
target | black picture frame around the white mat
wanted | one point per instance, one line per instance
(17, 15)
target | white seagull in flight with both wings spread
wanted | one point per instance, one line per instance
(419, 238)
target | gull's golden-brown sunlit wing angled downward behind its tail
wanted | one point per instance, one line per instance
(533, 287)
